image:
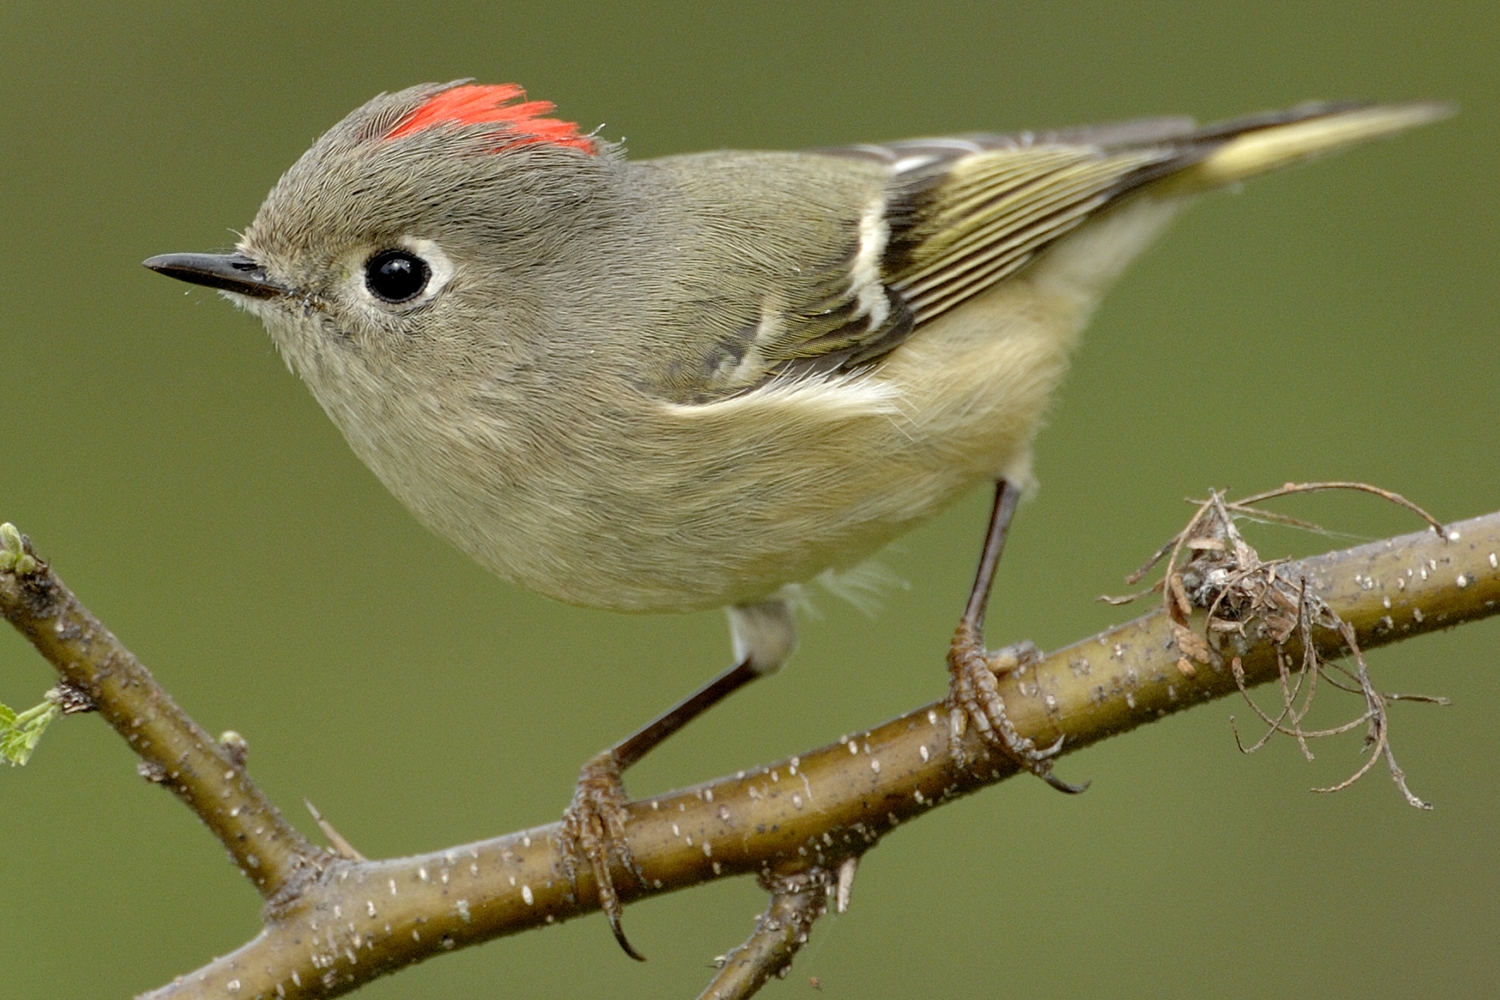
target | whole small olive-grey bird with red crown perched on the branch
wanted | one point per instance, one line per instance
(688, 383)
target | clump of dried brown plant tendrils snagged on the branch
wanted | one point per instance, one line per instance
(1213, 569)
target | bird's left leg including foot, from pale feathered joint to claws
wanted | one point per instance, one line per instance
(593, 831)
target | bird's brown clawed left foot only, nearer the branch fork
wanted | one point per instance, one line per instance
(593, 839)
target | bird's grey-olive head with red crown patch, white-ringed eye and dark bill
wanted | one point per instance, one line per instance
(410, 244)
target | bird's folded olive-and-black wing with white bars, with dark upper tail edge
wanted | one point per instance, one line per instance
(956, 217)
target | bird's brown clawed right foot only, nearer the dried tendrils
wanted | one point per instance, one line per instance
(974, 698)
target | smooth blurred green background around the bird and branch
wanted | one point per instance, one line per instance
(1337, 322)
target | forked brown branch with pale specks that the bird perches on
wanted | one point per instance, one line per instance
(334, 924)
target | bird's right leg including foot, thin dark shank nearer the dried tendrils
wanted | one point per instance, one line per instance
(973, 690)
